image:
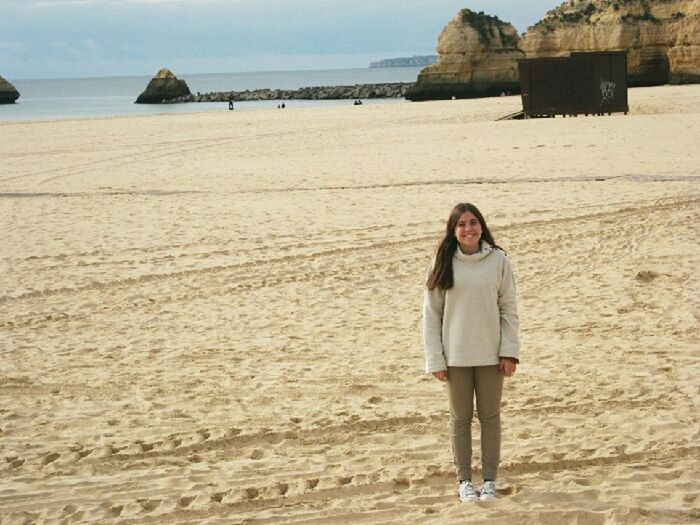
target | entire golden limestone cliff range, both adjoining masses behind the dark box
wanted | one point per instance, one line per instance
(478, 53)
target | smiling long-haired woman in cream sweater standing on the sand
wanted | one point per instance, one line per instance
(470, 330)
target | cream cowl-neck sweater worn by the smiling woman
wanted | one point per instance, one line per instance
(476, 321)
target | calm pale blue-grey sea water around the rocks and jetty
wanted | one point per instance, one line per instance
(65, 98)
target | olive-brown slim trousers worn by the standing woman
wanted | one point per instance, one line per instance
(463, 382)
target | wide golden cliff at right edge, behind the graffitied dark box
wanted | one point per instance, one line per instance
(660, 36)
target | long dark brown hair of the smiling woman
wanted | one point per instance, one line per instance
(441, 274)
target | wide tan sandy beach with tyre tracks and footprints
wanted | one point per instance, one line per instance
(216, 317)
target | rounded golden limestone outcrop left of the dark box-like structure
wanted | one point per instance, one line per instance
(477, 56)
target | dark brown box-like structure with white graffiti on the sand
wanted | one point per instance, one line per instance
(582, 84)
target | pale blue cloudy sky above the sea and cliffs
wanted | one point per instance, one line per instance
(93, 38)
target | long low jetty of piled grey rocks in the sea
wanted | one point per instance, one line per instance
(358, 91)
